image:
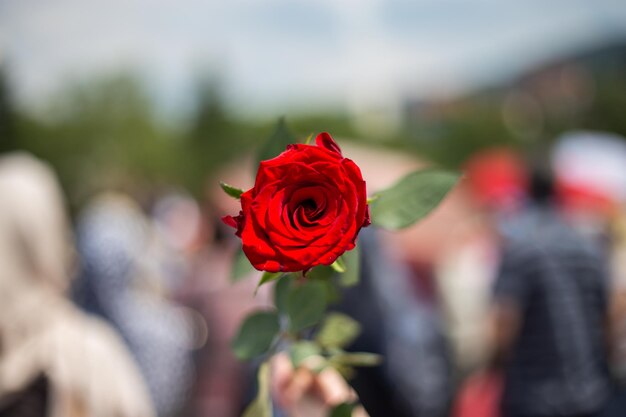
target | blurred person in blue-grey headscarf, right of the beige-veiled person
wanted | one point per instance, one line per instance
(122, 280)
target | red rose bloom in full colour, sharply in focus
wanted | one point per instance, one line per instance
(306, 208)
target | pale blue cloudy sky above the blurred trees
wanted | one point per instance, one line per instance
(271, 56)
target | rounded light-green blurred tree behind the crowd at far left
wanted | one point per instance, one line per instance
(102, 135)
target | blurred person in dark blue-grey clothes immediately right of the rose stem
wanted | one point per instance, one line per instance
(414, 378)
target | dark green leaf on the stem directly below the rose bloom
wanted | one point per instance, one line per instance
(306, 304)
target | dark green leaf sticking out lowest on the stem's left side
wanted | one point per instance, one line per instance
(256, 334)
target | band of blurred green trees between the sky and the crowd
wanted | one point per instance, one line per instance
(105, 133)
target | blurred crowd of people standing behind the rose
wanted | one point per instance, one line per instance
(510, 300)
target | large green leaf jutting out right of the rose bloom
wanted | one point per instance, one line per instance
(411, 198)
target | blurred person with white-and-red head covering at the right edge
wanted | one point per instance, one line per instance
(590, 171)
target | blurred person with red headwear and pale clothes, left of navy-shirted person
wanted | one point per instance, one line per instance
(495, 183)
